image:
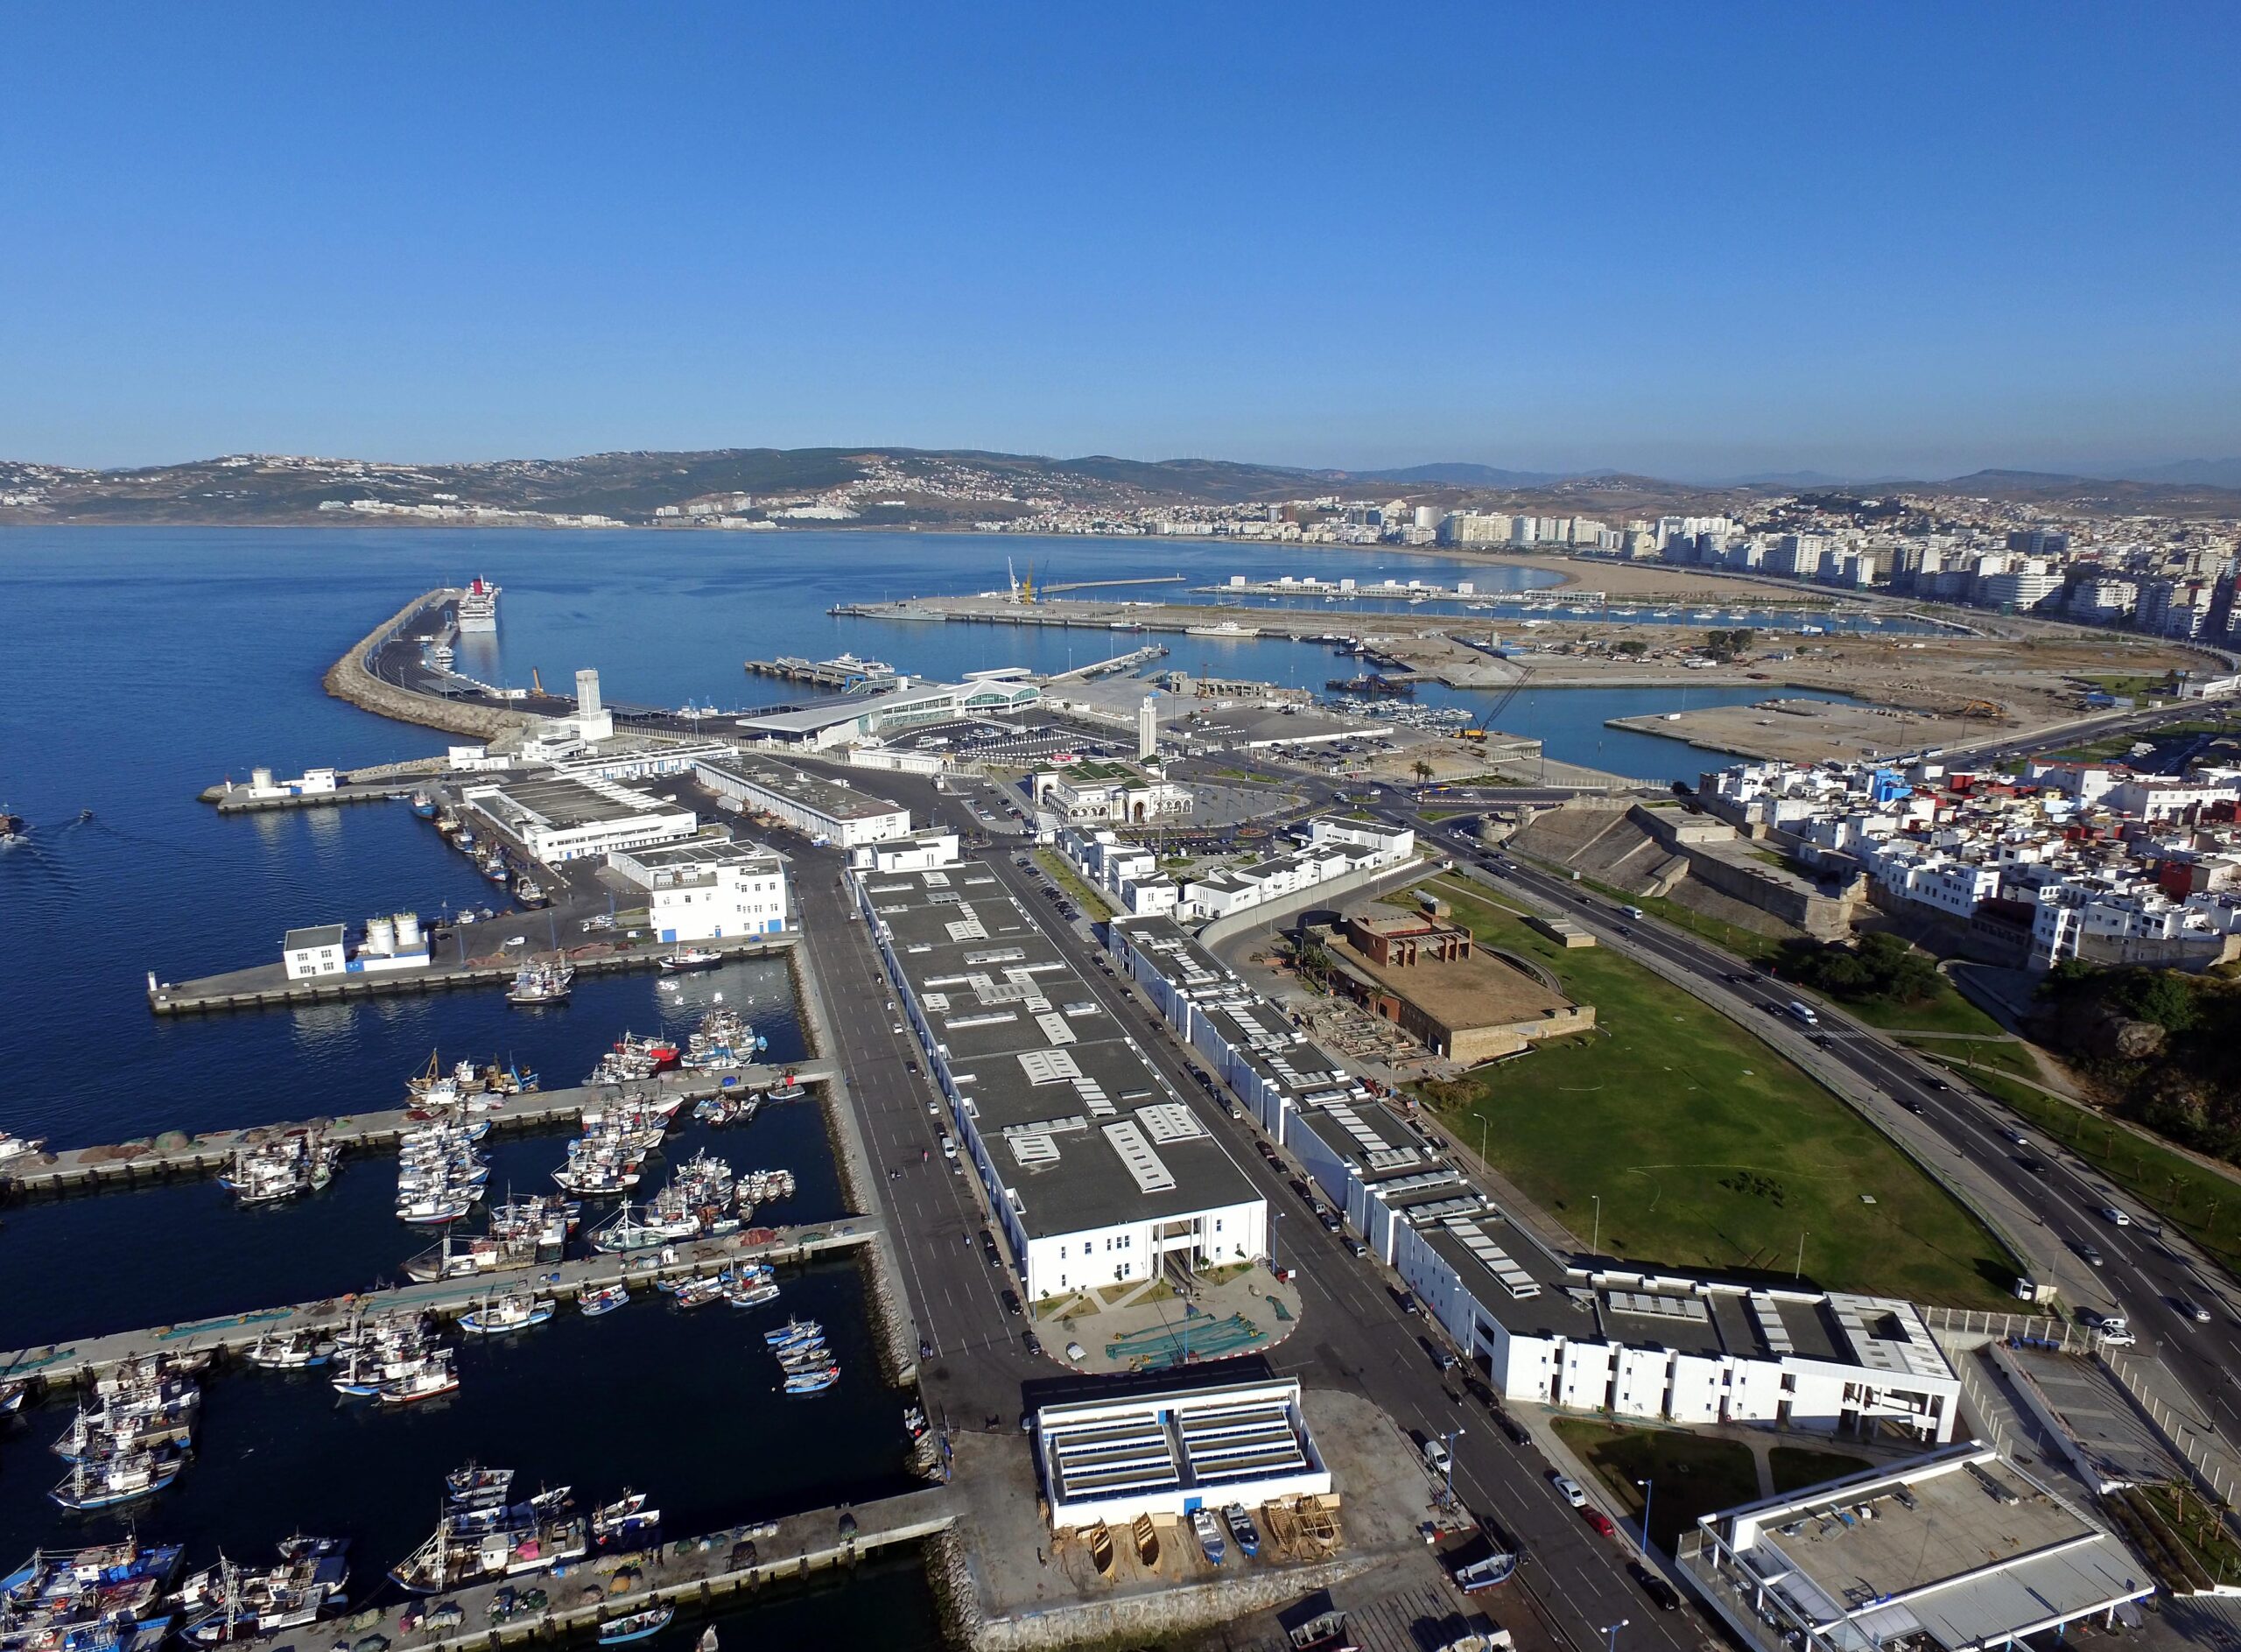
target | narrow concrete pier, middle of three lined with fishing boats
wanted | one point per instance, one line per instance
(234, 1333)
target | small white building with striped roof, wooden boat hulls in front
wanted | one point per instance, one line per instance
(1175, 1451)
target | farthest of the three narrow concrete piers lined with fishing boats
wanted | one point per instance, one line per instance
(142, 1162)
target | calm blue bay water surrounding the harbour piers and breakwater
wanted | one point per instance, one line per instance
(145, 665)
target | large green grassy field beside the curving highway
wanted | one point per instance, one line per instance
(1704, 1144)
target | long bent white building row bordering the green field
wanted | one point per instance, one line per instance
(1543, 1328)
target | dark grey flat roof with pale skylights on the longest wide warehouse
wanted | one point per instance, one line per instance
(980, 967)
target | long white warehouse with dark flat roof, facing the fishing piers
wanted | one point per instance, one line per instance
(1095, 1167)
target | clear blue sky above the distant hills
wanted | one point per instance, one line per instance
(1691, 241)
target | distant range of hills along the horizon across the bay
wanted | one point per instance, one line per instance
(951, 488)
